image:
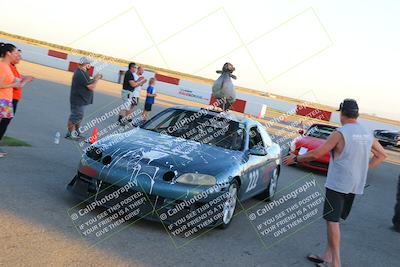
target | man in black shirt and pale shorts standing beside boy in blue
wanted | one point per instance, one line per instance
(131, 82)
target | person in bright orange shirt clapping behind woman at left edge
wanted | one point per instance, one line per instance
(17, 91)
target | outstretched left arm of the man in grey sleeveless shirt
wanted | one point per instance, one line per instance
(330, 143)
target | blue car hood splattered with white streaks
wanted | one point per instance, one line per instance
(166, 152)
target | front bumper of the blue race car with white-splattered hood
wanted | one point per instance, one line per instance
(173, 204)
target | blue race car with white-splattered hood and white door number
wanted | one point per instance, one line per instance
(181, 154)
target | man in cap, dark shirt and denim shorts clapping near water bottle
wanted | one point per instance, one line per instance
(81, 95)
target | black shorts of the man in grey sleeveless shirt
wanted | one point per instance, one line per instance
(337, 205)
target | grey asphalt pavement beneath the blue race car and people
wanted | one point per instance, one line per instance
(37, 230)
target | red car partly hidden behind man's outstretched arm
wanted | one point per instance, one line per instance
(314, 137)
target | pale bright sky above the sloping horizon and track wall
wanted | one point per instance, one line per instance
(316, 50)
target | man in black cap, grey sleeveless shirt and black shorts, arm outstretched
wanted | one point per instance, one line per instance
(350, 147)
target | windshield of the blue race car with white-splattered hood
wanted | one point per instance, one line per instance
(201, 126)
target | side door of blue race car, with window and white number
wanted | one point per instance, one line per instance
(254, 167)
